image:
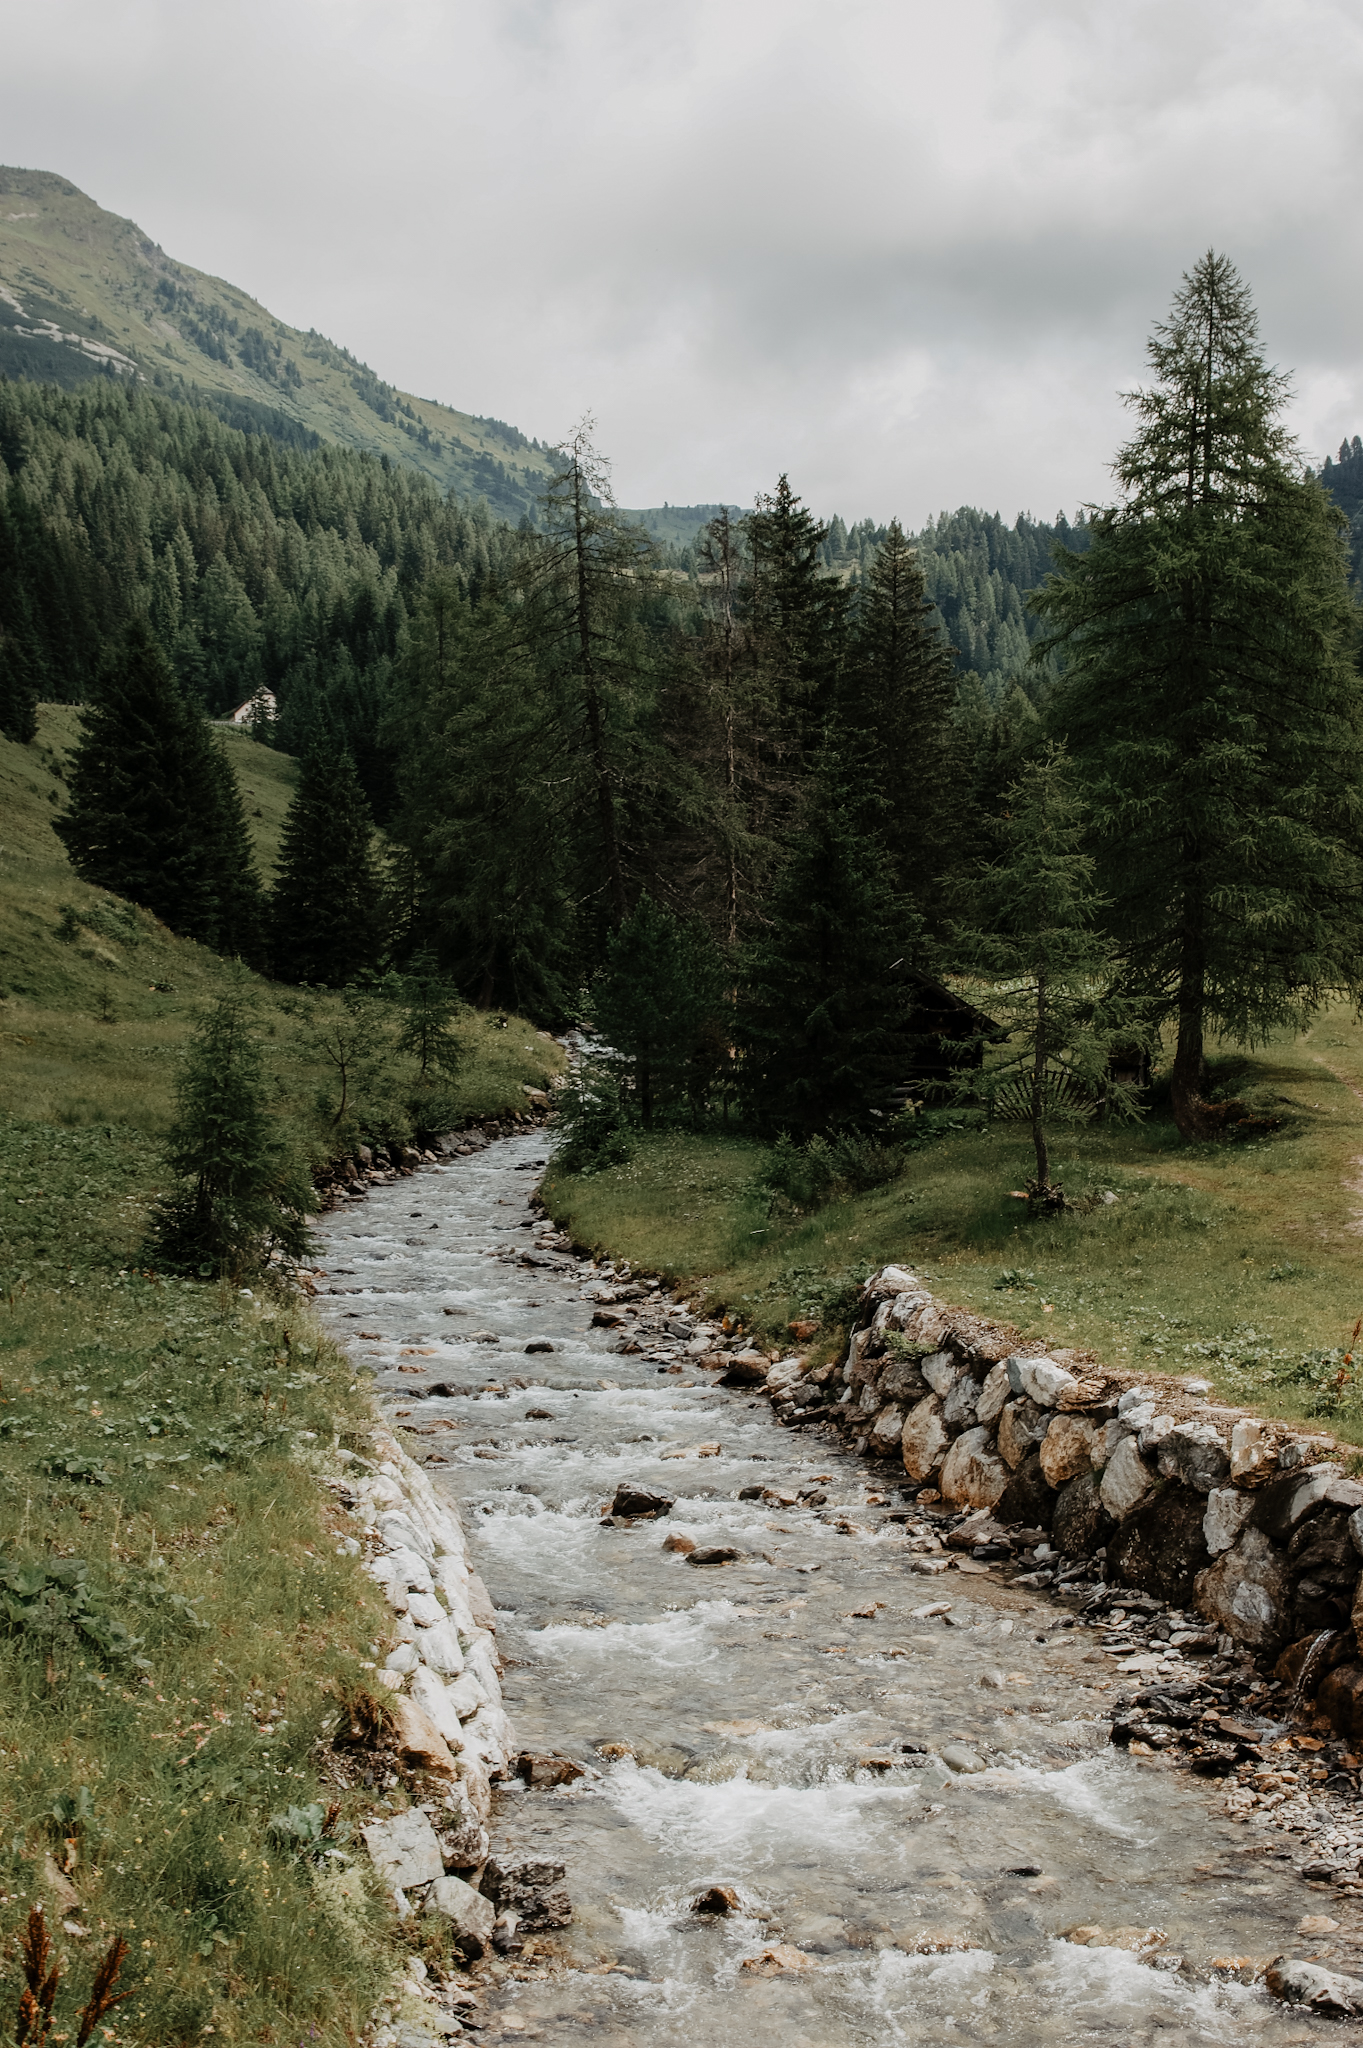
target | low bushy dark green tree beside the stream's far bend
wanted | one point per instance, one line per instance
(656, 1002)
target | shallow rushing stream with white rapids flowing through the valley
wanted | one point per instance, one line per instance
(746, 1723)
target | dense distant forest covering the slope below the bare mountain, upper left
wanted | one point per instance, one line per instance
(257, 564)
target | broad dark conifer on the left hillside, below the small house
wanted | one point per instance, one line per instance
(155, 810)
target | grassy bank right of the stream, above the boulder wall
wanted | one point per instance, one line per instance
(1241, 1263)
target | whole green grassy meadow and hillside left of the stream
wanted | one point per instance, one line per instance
(177, 1625)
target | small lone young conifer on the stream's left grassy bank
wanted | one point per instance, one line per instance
(240, 1197)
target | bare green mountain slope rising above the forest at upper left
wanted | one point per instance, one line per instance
(87, 294)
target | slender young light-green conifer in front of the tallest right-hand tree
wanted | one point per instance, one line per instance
(1037, 935)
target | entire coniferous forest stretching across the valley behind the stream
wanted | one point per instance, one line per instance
(754, 804)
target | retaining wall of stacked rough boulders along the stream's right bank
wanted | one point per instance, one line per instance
(1247, 1523)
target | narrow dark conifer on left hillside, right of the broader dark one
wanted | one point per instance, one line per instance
(324, 912)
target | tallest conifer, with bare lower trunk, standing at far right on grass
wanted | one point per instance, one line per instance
(1213, 699)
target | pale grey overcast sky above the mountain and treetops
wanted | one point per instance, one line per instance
(906, 253)
